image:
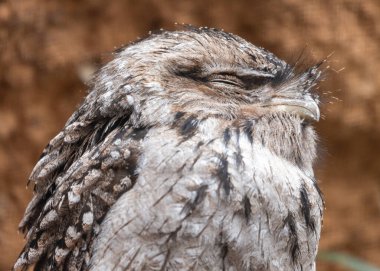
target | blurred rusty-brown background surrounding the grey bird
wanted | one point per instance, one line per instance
(48, 48)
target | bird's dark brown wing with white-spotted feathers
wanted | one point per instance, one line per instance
(80, 174)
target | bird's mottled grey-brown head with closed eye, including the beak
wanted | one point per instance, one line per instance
(206, 72)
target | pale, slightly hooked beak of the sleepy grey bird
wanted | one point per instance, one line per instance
(306, 107)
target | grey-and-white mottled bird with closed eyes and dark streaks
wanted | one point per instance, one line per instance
(193, 150)
